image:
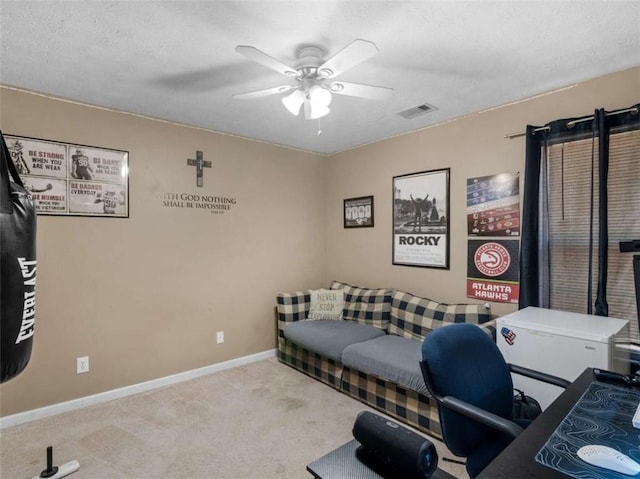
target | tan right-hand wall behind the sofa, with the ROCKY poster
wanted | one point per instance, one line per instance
(471, 146)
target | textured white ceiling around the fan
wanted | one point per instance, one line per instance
(176, 60)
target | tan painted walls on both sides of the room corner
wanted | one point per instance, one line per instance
(144, 296)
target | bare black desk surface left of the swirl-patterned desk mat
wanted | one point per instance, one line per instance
(518, 459)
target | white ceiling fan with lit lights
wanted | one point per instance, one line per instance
(315, 77)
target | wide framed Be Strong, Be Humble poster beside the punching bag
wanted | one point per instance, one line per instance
(72, 179)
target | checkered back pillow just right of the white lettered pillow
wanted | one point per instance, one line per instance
(366, 306)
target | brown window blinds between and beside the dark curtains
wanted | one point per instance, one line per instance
(570, 192)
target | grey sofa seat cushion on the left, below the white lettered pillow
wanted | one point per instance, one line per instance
(329, 337)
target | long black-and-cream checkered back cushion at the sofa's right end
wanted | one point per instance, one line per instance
(415, 317)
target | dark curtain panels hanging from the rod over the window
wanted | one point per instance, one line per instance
(532, 245)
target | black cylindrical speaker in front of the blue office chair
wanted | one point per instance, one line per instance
(393, 449)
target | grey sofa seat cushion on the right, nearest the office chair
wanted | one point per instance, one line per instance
(388, 357)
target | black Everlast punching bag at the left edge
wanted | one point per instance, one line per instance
(17, 269)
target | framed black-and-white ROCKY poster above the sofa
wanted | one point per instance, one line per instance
(421, 219)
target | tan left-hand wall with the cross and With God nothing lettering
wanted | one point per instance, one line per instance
(143, 297)
